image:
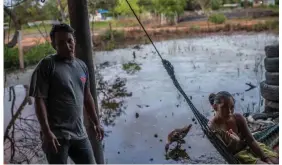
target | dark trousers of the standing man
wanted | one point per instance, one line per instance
(80, 151)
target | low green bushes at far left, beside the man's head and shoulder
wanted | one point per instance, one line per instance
(31, 56)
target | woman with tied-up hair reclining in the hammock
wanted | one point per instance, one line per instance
(234, 132)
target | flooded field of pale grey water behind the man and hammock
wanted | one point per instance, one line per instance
(140, 105)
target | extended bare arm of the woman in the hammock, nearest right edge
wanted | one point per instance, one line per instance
(248, 137)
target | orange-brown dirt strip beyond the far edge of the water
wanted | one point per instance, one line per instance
(135, 32)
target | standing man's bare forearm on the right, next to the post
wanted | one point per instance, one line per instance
(90, 107)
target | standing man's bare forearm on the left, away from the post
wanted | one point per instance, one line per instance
(41, 113)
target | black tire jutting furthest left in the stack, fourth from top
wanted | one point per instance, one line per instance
(269, 92)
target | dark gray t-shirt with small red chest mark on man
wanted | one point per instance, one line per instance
(61, 84)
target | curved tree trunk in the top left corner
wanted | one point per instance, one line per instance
(17, 24)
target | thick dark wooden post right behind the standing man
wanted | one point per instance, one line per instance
(79, 19)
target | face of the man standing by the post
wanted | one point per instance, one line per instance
(64, 44)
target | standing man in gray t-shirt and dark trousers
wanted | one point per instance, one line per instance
(60, 86)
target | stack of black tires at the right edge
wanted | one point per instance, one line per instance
(270, 87)
